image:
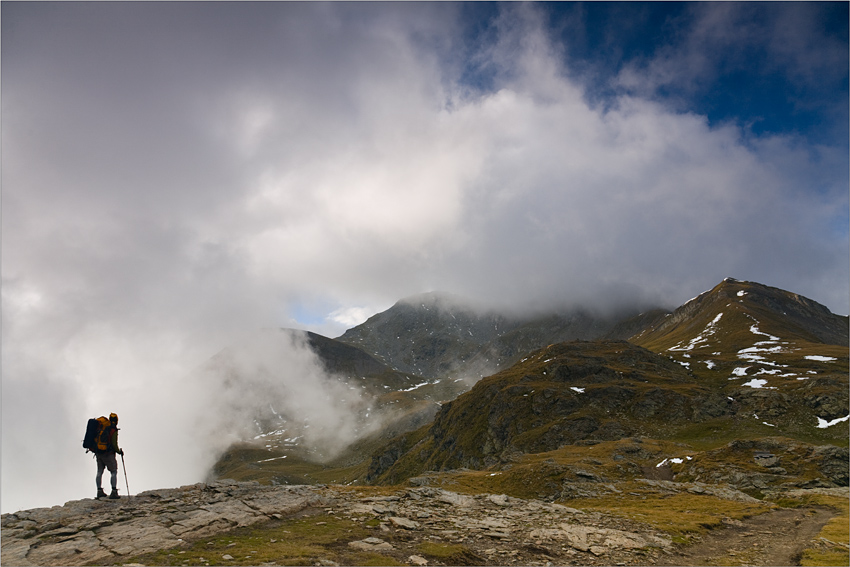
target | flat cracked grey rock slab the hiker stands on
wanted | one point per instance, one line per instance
(92, 531)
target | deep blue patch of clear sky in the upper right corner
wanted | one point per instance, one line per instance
(771, 67)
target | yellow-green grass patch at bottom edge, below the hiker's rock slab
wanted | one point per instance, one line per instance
(298, 541)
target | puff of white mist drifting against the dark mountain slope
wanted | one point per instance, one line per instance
(271, 379)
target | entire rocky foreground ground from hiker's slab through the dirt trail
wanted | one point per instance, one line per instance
(493, 529)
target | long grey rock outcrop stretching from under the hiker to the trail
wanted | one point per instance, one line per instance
(495, 529)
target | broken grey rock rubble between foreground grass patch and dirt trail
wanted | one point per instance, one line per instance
(498, 527)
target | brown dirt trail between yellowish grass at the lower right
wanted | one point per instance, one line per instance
(774, 538)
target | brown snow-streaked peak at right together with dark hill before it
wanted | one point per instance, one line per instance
(736, 379)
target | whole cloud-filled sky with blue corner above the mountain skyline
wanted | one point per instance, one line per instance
(176, 175)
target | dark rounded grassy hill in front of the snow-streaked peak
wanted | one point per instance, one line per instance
(560, 395)
